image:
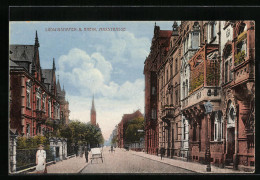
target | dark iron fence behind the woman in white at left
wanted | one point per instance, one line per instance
(26, 158)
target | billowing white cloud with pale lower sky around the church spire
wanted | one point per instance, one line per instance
(91, 74)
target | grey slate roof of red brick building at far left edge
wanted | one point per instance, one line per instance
(21, 52)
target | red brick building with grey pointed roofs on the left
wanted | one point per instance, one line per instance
(35, 106)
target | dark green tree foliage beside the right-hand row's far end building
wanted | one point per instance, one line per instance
(131, 134)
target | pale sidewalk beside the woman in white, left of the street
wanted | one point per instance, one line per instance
(72, 165)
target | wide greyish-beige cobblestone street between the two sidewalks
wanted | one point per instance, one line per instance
(125, 162)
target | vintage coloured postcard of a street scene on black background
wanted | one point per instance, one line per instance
(143, 97)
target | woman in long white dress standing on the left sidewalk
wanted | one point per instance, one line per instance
(41, 160)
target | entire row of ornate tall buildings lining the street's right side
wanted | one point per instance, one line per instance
(205, 94)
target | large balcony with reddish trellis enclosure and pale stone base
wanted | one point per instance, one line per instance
(204, 76)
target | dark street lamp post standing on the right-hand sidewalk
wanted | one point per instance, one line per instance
(208, 107)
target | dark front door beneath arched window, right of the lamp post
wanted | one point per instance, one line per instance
(230, 143)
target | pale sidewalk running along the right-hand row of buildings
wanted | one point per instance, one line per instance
(192, 166)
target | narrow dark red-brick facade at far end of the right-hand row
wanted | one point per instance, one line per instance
(159, 48)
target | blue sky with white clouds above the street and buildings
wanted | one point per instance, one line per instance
(106, 64)
